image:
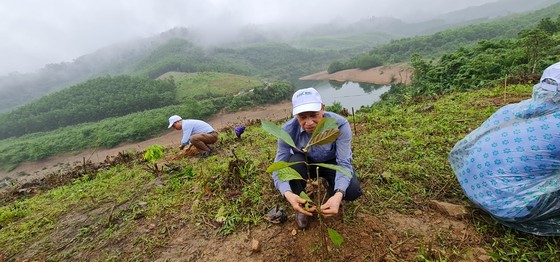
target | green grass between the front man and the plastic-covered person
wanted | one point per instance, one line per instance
(410, 145)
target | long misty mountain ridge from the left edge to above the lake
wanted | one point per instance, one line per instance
(171, 51)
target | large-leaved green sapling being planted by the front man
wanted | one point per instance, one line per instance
(325, 132)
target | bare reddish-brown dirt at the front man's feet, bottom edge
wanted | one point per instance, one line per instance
(387, 237)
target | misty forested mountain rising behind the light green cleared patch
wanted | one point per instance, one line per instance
(272, 61)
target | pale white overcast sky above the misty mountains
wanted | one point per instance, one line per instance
(37, 32)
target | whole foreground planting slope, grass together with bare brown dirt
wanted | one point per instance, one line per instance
(128, 213)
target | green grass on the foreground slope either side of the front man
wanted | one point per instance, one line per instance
(400, 155)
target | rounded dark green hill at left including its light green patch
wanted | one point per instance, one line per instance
(106, 97)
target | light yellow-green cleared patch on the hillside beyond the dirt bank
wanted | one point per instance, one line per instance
(210, 84)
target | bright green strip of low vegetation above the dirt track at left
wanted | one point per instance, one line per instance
(106, 133)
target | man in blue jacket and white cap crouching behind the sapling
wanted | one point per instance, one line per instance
(308, 111)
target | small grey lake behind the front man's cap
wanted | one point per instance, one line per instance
(348, 94)
